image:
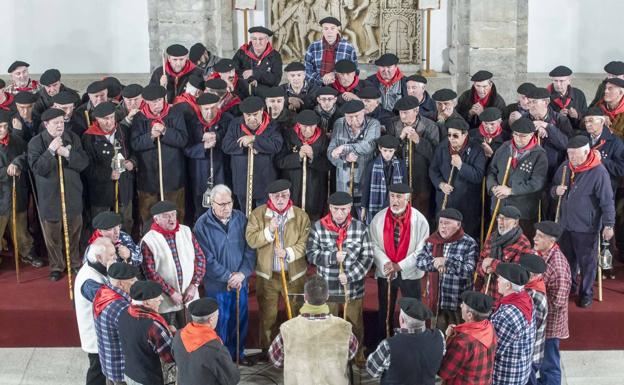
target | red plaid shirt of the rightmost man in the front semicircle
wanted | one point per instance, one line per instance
(558, 280)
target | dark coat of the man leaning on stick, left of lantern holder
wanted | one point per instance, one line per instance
(45, 168)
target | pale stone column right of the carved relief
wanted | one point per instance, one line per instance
(490, 35)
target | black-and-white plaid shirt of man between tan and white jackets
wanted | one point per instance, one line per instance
(321, 252)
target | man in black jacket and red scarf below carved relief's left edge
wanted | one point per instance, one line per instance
(256, 61)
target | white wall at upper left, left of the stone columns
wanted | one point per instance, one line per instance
(76, 36)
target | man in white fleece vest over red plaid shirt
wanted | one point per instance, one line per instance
(172, 257)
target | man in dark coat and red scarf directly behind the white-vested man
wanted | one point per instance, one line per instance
(158, 123)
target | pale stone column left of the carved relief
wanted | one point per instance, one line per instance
(187, 22)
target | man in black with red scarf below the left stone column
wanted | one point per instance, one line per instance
(175, 75)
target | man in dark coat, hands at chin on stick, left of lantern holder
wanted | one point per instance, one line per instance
(44, 151)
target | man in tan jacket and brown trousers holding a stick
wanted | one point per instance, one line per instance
(278, 231)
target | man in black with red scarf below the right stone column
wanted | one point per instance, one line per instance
(482, 94)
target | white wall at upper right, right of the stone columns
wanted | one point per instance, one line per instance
(583, 35)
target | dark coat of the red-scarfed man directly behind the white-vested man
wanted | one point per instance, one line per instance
(145, 149)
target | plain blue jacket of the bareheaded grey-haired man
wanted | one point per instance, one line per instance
(225, 251)
